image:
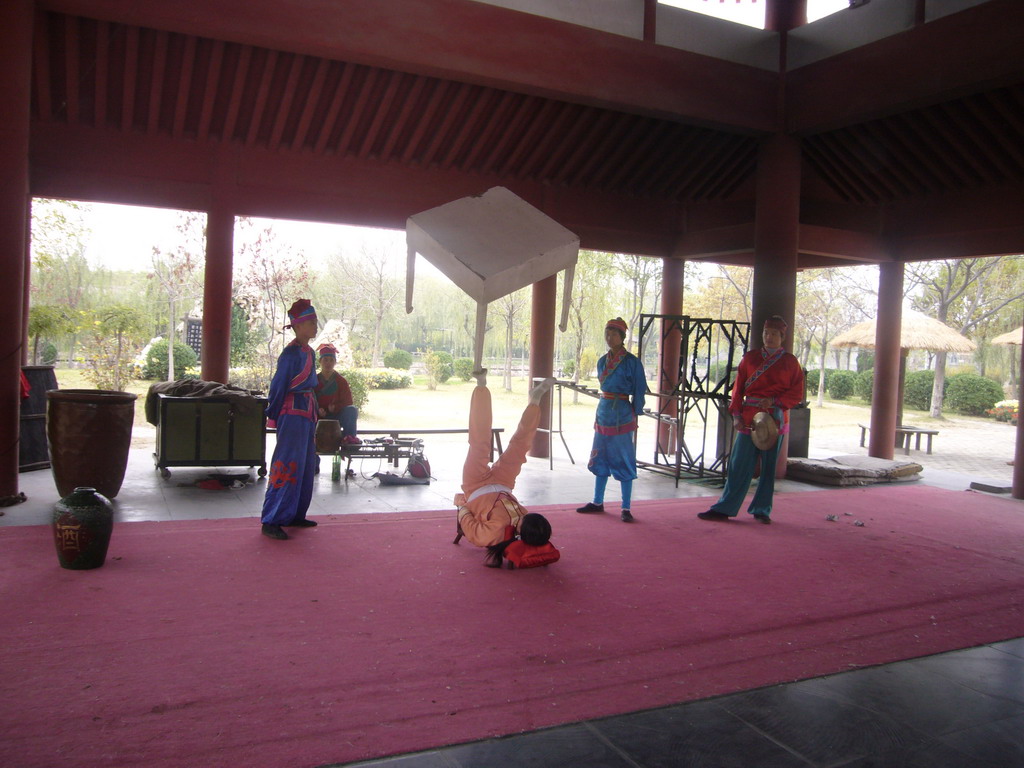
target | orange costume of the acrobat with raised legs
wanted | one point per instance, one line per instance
(487, 506)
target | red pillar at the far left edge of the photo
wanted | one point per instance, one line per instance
(16, 64)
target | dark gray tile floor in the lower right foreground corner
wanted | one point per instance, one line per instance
(958, 710)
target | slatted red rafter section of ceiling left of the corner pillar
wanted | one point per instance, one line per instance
(135, 80)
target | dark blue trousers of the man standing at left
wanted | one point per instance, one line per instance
(290, 485)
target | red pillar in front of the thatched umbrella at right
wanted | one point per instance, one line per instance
(885, 401)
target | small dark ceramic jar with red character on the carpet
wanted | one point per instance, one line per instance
(82, 525)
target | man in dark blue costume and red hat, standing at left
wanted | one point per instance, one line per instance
(293, 407)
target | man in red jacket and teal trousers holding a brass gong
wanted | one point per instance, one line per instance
(771, 380)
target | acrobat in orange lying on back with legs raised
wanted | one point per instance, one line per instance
(489, 514)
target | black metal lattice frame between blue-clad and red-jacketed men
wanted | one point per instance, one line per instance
(709, 355)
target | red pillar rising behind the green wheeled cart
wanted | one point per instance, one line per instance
(218, 293)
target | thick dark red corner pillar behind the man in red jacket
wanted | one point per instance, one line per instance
(777, 240)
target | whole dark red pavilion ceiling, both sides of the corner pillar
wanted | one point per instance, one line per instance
(660, 174)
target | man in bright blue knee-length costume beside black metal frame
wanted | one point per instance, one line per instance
(622, 378)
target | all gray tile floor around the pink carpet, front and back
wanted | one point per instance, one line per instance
(959, 709)
